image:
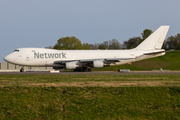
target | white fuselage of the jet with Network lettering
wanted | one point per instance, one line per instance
(47, 57)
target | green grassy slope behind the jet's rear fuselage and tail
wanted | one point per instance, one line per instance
(170, 61)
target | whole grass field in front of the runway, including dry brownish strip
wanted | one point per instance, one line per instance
(110, 97)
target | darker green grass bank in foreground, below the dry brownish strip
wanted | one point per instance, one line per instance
(90, 103)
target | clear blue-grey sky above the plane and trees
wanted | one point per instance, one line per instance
(40, 23)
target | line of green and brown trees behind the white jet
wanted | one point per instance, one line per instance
(73, 43)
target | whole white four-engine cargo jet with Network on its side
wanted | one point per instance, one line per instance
(85, 59)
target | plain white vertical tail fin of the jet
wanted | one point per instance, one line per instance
(155, 40)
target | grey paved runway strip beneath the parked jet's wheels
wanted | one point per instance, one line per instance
(94, 72)
